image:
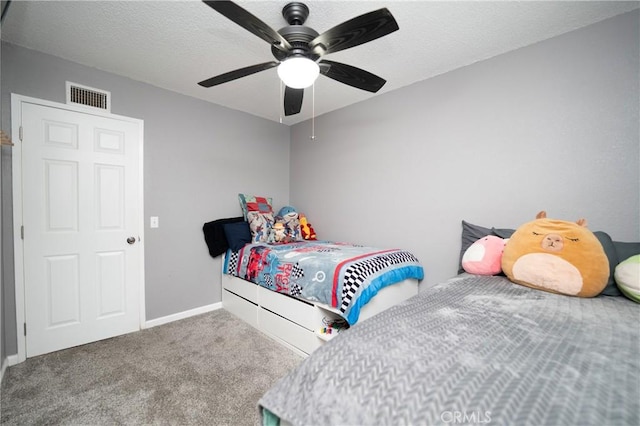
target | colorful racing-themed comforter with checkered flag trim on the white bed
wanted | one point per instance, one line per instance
(341, 275)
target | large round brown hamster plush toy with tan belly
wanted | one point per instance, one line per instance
(556, 256)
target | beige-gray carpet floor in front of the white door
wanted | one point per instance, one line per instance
(206, 370)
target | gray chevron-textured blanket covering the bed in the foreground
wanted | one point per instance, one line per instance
(474, 350)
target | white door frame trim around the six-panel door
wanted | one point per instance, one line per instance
(18, 242)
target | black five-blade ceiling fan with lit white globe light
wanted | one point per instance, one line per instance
(296, 45)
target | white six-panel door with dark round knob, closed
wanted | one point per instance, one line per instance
(81, 217)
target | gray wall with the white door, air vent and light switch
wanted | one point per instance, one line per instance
(197, 158)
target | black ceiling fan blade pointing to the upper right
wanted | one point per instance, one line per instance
(355, 32)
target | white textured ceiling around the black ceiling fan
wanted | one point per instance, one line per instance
(175, 44)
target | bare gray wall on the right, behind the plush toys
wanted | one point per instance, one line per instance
(553, 126)
